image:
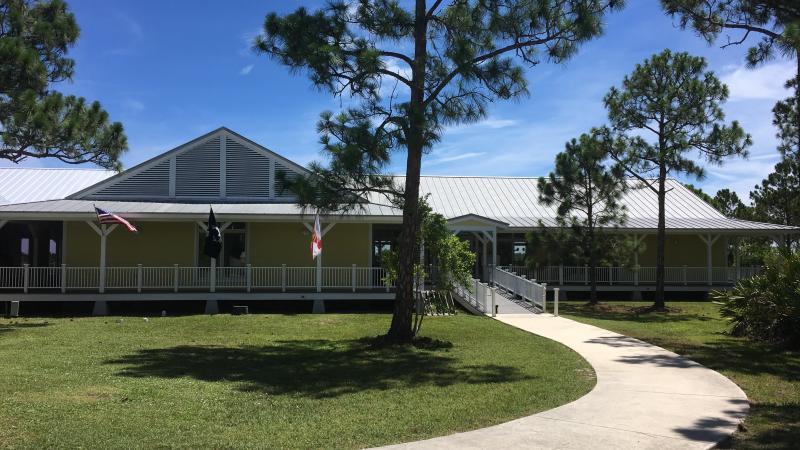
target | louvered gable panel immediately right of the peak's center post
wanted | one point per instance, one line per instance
(246, 172)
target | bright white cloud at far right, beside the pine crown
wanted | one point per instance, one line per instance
(763, 83)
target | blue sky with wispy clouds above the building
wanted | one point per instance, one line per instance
(171, 71)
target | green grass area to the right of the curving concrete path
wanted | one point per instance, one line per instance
(769, 376)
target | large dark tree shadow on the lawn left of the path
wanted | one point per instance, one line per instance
(314, 368)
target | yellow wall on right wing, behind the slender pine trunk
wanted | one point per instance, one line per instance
(683, 250)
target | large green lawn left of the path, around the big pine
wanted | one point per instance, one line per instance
(268, 381)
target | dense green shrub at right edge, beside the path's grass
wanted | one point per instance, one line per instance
(767, 307)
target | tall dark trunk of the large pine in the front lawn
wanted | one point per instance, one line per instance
(401, 330)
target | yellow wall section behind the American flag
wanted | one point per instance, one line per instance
(156, 244)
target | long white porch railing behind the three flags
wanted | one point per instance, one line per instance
(178, 278)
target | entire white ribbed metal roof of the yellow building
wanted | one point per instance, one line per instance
(506, 202)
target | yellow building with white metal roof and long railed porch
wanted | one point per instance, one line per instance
(51, 243)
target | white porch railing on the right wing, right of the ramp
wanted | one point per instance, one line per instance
(681, 275)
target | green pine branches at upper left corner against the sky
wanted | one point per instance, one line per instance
(35, 121)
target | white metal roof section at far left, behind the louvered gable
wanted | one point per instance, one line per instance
(20, 185)
